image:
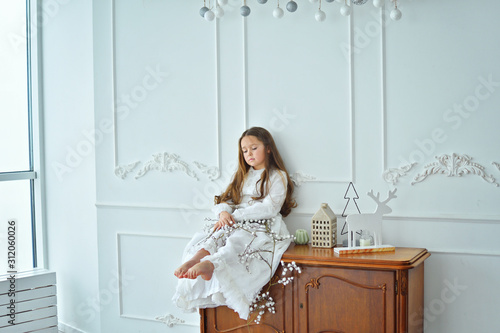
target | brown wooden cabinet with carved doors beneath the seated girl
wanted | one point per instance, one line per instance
(358, 293)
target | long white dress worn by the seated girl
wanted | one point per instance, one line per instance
(238, 278)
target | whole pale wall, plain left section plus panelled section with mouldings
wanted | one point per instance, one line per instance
(177, 84)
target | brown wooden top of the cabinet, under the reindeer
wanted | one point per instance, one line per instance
(401, 258)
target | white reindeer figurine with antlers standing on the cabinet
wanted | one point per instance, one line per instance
(372, 221)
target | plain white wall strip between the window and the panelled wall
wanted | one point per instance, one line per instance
(68, 115)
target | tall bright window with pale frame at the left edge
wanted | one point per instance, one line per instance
(19, 152)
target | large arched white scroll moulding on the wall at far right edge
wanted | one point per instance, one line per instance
(454, 165)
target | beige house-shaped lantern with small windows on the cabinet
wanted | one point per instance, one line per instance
(324, 227)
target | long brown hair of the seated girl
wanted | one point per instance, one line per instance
(273, 161)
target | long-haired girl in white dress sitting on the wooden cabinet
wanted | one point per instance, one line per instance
(230, 263)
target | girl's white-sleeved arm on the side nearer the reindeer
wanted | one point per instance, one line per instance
(270, 206)
